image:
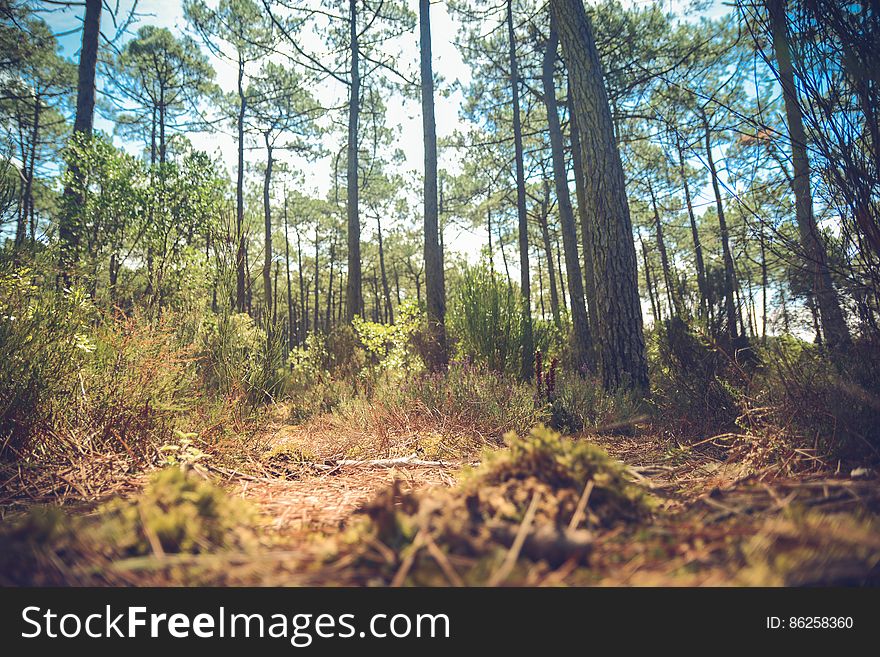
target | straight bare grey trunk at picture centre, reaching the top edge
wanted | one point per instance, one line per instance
(435, 287)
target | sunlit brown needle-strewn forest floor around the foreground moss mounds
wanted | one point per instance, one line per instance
(719, 519)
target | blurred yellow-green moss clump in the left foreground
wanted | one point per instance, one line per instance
(178, 512)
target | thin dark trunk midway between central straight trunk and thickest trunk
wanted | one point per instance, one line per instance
(528, 345)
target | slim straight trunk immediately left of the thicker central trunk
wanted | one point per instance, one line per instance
(354, 292)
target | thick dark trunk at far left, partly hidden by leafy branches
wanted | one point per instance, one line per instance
(82, 124)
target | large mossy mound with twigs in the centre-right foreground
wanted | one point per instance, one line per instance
(470, 529)
